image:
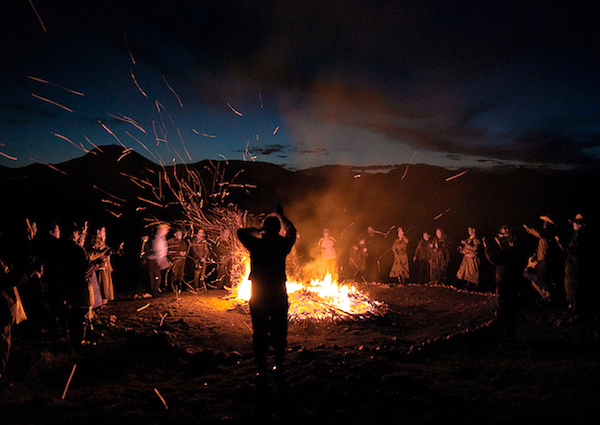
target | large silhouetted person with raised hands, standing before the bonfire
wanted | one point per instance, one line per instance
(269, 302)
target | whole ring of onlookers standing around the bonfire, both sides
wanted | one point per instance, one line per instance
(67, 276)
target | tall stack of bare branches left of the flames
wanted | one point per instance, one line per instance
(205, 203)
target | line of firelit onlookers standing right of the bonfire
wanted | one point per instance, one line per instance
(560, 271)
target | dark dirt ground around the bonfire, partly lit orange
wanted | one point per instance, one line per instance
(431, 358)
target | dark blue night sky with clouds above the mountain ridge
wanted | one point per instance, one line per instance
(302, 83)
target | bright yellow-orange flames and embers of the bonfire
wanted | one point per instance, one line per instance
(321, 299)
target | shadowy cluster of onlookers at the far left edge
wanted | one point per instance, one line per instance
(57, 278)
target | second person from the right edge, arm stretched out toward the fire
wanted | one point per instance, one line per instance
(545, 276)
